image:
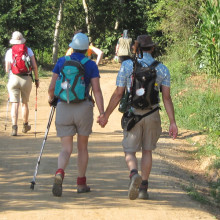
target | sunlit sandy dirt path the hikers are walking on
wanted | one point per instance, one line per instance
(107, 173)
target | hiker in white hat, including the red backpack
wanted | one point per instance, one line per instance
(19, 66)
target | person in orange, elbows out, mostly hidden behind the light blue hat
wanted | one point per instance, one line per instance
(92, 50)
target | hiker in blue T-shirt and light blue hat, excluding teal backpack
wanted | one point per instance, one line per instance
(75, 118)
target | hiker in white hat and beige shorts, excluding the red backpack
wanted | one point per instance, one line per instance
(20, 85)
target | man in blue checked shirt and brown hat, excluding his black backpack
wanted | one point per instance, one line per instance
(145, 134)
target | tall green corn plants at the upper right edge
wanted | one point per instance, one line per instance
(207, 38)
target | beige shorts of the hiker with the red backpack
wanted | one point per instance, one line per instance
(19, 86)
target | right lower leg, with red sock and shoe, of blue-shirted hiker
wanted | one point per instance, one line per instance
(82, 161)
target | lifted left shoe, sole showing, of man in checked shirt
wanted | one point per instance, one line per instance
(134, 185)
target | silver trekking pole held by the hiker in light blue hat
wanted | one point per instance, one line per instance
(42, 148)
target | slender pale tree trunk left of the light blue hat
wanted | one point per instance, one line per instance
(57, 32)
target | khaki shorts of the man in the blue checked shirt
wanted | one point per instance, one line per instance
(144, 135)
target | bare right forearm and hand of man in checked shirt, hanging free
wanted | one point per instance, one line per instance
(168, 104)
